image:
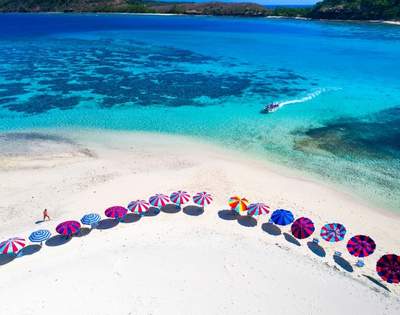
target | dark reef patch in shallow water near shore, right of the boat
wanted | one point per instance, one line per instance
(375, 136)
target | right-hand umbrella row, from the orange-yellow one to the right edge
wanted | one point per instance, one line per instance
(388, 266)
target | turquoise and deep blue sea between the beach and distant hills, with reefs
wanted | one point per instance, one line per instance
(209, 77)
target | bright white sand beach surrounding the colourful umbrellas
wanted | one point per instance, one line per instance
(178, 263)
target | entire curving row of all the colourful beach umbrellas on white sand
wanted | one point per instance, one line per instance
(388, 266)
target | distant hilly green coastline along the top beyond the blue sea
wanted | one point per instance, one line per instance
(327, 9)
